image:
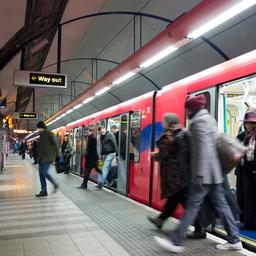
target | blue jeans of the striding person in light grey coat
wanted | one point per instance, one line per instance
(196, 198)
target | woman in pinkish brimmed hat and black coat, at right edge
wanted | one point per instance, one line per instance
(246, 173)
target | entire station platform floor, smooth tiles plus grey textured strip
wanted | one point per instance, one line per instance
(77, 223)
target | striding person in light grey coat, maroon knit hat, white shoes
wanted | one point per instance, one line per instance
(207, 179)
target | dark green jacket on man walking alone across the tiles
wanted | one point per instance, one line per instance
(47, 147)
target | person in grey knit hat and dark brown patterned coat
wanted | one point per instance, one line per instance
(172, 146)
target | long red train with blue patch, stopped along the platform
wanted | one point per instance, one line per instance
(230, 89)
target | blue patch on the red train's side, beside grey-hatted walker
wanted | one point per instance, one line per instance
(145, 136)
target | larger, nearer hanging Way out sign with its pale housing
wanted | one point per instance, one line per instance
(39, 79)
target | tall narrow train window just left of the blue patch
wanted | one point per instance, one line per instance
(135, 136)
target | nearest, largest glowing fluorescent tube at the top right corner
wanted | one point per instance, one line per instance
(230, 13)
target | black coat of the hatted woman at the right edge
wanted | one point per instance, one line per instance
(246, 186)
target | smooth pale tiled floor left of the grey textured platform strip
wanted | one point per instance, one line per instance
(52, 226)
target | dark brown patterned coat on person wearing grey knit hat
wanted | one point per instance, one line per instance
(171, 180)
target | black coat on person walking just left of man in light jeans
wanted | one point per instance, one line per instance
(91, 152)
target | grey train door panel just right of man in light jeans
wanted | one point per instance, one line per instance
(123, 155)
